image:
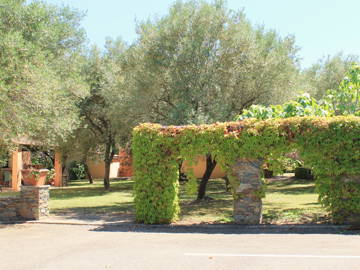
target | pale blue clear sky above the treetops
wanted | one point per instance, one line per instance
(320, 27)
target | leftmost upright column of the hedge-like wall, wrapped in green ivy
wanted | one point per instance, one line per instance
(156, 195)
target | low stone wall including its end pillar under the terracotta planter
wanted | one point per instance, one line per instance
(32, 204)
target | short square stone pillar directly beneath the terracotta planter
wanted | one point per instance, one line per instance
(34, 202)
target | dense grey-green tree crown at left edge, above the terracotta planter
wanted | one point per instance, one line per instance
(39, 79)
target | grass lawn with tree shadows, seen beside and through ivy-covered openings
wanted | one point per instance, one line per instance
(287, 201)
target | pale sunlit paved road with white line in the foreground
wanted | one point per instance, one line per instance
(37, 246)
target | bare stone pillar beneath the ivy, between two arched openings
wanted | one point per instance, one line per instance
(248, 203)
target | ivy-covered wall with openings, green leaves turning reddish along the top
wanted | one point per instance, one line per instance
(331, 145)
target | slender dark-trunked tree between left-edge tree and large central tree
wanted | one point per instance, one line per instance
(106, 113)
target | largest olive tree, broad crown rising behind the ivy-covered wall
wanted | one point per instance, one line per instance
(203, 63)
